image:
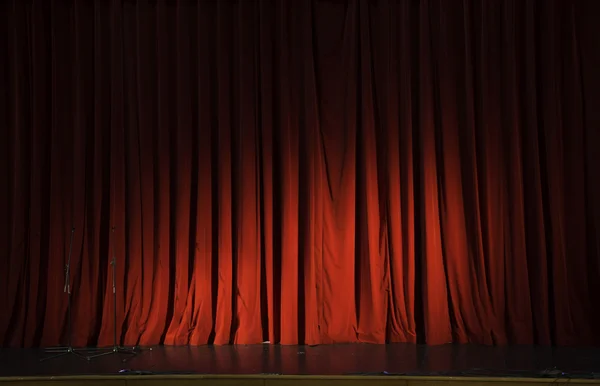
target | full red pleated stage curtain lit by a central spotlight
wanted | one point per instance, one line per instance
(300, 171)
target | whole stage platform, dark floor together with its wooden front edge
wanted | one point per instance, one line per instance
(352, 364)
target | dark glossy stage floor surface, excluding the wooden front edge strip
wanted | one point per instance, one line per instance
(337, 360)
